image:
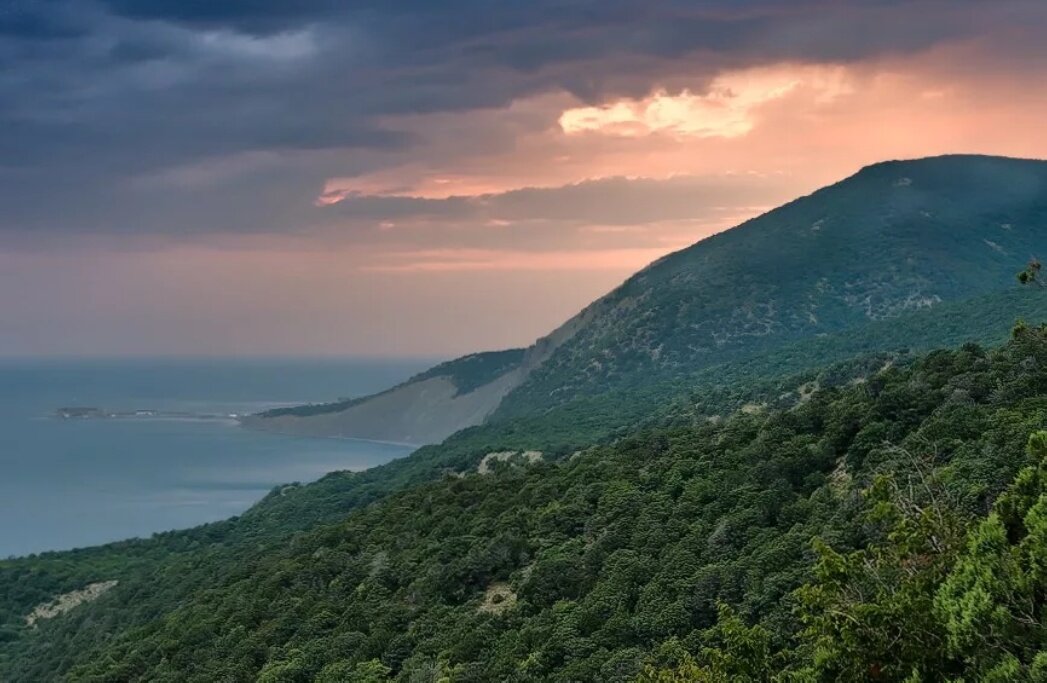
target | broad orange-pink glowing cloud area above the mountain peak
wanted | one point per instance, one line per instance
(808, 124)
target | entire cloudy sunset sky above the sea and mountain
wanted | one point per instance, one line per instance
(422, 179)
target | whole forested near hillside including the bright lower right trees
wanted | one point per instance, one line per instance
(842, 525)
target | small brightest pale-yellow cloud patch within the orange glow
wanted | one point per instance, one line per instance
(727, 109)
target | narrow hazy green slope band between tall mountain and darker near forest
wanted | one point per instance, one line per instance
(723, 388)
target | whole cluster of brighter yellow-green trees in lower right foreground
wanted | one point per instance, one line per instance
(934, 602)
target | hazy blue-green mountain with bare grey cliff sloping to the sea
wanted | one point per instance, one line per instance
(896, 237)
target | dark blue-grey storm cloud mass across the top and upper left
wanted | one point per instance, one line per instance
(98, 97)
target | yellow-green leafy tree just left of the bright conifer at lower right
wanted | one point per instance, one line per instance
(868, 614)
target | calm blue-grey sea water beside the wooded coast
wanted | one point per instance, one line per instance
(73, 483)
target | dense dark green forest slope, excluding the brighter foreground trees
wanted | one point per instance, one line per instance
(588, 568)
